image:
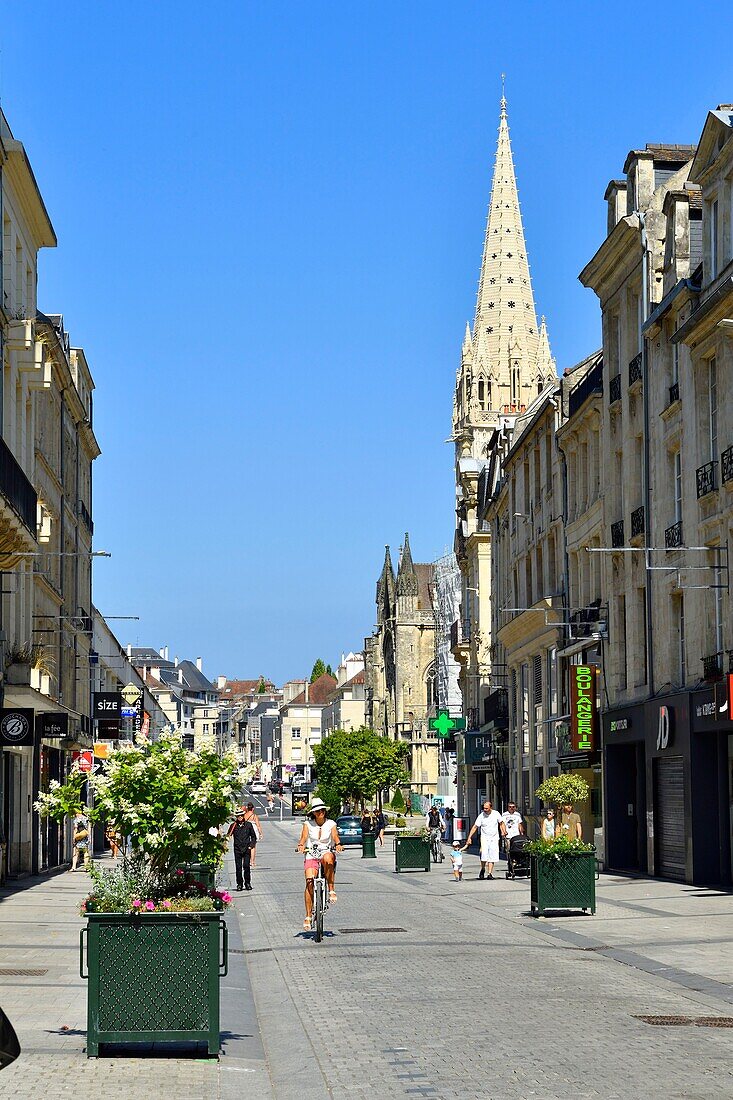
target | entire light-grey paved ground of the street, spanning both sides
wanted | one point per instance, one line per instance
(471, 997)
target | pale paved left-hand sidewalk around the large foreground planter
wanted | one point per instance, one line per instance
(46, 999)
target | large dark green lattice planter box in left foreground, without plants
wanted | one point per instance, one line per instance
(154, 978)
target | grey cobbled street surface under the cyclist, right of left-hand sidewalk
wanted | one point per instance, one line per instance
(476, 998)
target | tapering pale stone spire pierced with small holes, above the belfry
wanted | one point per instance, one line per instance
(506, 335)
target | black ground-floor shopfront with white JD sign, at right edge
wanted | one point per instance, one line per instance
(670, 788)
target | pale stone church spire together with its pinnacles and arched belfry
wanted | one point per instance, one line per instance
(507, 360)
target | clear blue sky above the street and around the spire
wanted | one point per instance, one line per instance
(270, 221)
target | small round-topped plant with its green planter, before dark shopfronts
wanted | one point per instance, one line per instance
(564, 867)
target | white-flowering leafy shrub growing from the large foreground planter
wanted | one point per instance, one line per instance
(169, 800)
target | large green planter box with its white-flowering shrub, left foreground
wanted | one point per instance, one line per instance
(156, 938)
